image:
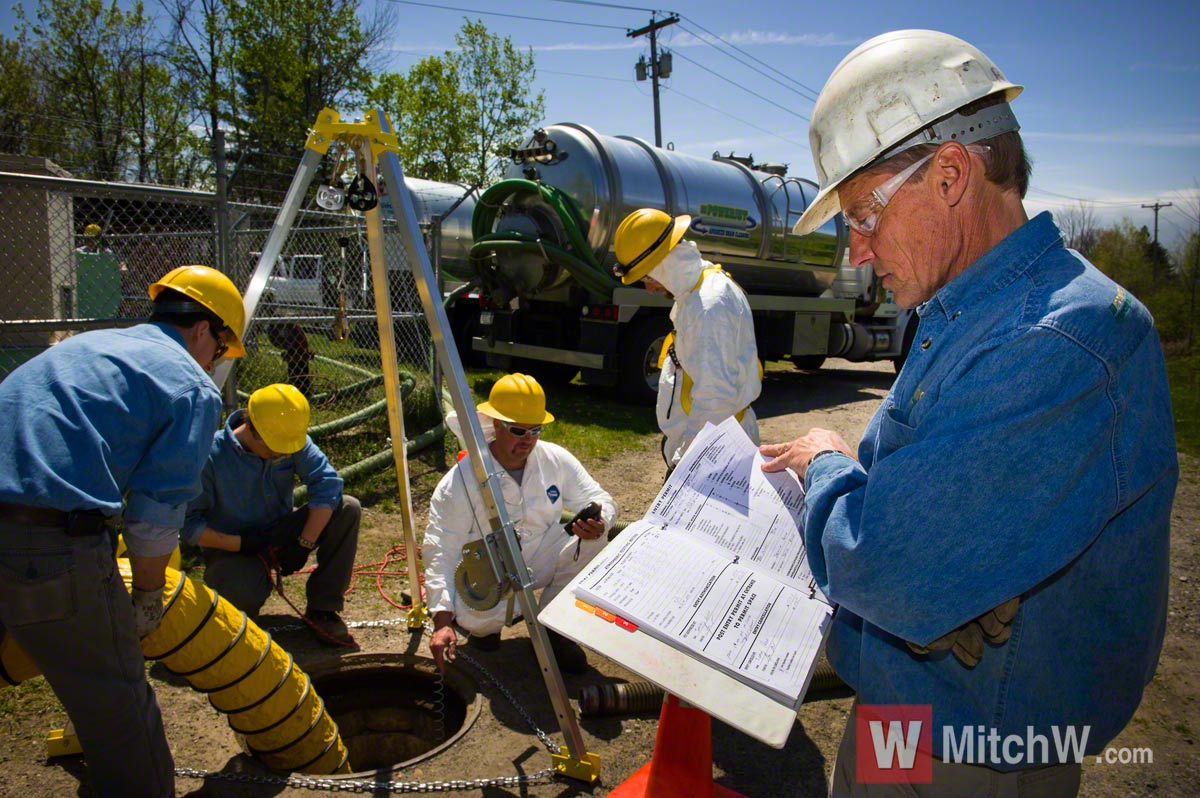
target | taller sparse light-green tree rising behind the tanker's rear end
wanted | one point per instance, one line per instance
(496, 79)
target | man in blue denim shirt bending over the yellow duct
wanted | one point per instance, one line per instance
(106, 424)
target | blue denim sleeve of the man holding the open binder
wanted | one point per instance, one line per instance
(1003, 482)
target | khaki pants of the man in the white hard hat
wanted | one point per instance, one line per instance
(953, 779)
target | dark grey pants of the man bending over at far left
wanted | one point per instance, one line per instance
(64, 602)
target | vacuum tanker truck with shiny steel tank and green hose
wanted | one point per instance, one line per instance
(544, 299)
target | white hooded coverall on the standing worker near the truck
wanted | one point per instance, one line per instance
(716, 346)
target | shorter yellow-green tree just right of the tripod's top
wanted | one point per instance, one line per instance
(428, 110)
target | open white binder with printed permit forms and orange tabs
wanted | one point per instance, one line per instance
(710, 595)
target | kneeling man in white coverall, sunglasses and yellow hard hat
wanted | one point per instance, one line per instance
(539, 482)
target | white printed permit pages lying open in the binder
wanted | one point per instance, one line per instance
(718, 567)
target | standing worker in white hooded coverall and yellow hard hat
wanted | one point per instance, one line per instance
(710, 363)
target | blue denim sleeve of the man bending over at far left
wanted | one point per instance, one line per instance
(170, 475)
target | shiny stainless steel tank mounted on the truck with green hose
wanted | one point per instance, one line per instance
(741, 218)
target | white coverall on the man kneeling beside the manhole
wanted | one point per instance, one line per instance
(554, 482)
